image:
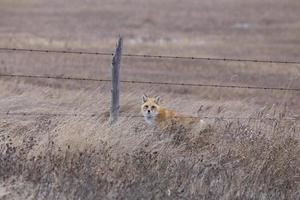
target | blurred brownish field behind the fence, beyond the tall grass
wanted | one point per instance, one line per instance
(267, 30)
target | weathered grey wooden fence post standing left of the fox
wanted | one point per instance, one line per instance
(115, 107)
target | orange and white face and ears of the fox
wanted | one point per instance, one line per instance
(150, 107)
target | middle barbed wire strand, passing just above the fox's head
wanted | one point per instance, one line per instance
(150, 82)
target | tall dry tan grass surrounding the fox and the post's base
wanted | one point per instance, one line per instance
(86, 158)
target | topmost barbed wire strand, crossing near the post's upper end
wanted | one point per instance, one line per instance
(152, 56)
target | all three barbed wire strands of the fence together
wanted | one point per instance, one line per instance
(37, 76)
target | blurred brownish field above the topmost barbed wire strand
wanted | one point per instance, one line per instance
(266, 29)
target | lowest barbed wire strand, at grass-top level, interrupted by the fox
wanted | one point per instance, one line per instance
(92, 115)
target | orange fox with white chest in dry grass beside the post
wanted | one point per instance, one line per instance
(156, 115)
